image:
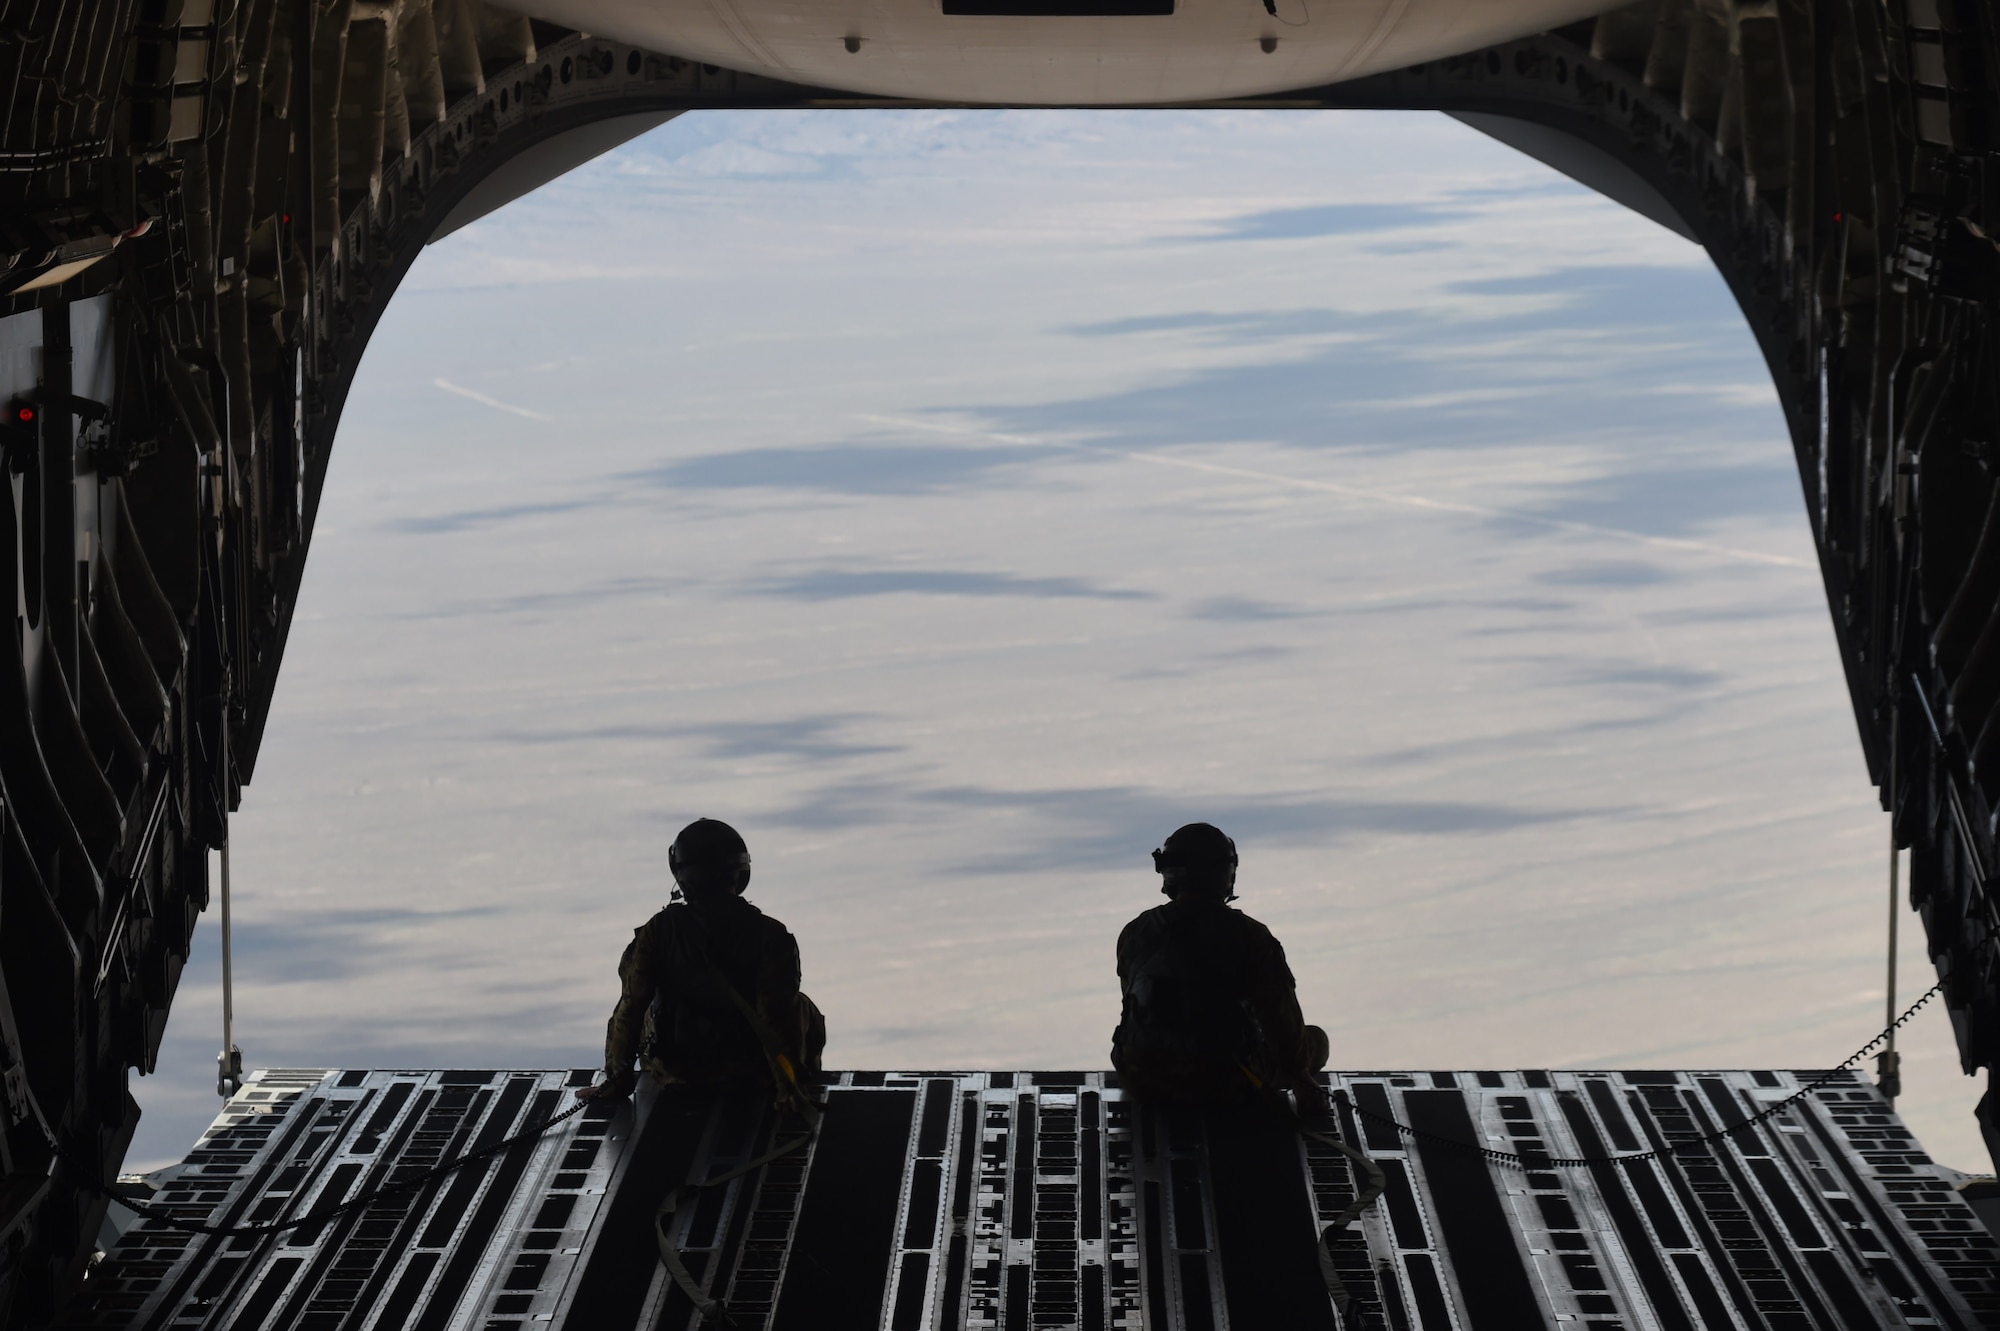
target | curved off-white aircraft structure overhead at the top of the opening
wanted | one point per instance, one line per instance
(1065, 53)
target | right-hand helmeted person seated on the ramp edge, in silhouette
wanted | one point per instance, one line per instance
(1211, 1010)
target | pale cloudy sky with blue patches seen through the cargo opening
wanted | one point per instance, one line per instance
(957, 503)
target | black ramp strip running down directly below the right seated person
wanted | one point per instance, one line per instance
(1271, 1244)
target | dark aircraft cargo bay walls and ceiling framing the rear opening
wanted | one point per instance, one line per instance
(205, 207)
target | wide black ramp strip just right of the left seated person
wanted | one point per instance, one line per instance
(847, 1222)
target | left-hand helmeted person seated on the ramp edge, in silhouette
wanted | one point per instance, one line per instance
(709, 988)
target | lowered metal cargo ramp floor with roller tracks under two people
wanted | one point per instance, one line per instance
(1021, 1202)
